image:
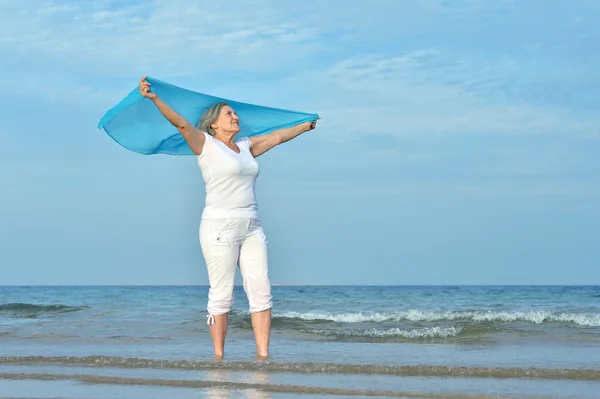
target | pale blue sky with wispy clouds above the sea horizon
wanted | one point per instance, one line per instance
(459, 141)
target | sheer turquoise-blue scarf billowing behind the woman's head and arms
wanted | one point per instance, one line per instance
(136, 124)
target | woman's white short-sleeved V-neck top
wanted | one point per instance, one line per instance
(229, 178)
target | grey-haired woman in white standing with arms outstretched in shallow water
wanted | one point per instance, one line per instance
(230, 231)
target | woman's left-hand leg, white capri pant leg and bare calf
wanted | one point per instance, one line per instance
(220, 249)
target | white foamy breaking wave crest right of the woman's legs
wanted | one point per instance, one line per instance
(415, 315)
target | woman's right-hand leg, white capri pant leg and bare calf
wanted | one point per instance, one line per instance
(255, 272)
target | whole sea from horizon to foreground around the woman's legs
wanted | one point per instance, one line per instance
(458, 342)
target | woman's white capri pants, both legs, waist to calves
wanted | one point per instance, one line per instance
(226, 244)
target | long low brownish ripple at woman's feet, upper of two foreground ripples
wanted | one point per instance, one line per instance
(312, 367)
